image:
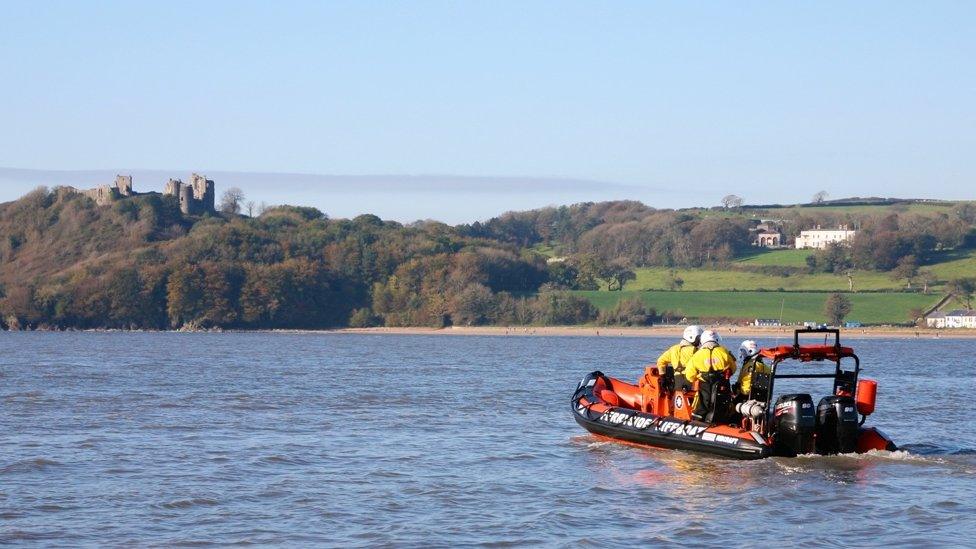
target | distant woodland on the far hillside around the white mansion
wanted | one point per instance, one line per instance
(640, 236)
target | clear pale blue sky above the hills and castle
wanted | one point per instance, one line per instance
(676, 104)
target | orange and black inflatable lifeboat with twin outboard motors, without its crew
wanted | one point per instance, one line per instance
(751, 427)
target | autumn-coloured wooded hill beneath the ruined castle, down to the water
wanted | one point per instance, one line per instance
(65, 262)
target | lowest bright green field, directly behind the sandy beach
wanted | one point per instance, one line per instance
(869, 308)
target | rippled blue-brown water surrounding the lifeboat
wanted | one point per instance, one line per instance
(392, 440)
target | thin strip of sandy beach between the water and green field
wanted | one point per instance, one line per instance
(659, 331)
